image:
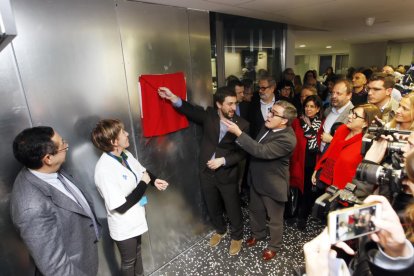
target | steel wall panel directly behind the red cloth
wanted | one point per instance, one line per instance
(155, 40)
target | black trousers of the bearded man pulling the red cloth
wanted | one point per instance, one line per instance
(219, 198)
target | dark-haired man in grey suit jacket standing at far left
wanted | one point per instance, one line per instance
(53, 216)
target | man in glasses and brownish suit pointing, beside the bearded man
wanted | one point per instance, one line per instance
(269, 173)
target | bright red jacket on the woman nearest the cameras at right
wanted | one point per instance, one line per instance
(340, 161)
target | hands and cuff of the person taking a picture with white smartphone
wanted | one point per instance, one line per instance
(393, 255)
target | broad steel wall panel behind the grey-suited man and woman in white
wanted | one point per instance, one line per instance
(70, 58)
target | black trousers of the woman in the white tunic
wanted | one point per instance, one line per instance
(131, 258)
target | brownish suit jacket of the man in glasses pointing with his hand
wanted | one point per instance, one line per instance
(269, 162)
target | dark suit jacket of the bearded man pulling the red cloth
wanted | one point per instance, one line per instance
(227, 148)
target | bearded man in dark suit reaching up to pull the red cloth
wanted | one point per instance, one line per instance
(219, 156)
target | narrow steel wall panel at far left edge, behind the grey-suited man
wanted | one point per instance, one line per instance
(14, 116)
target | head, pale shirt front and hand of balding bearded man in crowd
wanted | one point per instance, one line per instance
(338, 111)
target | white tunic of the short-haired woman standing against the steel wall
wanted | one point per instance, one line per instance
(114, 183)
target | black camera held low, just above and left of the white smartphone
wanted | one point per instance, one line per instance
(333, 199)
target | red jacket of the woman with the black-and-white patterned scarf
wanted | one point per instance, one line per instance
(297, 161)
